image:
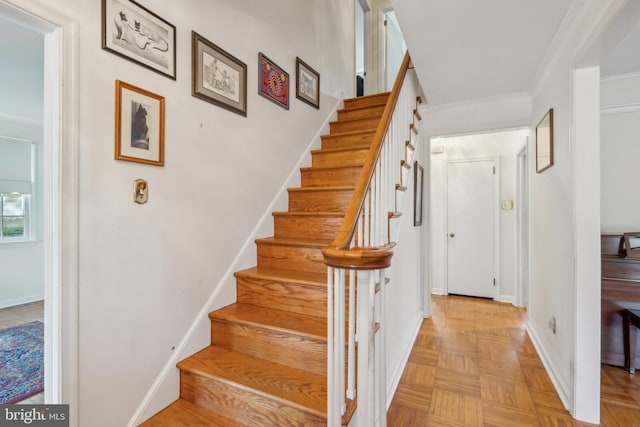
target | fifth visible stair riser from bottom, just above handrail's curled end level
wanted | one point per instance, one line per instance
(298, 227)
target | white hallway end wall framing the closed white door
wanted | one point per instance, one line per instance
(501, 144)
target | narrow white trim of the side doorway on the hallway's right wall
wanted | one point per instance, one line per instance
(523, 231)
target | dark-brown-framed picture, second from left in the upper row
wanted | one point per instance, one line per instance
(218, 77)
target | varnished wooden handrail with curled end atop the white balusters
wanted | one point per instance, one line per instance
(364, 258)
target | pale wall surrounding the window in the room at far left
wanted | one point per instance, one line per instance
(21, 116)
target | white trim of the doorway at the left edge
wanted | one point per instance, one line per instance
(61, 195)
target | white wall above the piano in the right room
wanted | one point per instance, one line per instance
(620, 127)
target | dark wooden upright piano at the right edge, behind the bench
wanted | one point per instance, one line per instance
(620, 286)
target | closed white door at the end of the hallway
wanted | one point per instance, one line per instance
(471, 211)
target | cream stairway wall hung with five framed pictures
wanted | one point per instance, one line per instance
(146, 271)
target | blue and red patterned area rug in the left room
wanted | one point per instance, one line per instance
(21, 362)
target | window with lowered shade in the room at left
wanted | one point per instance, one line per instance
(16, 188)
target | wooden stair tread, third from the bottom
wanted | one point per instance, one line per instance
(286, 321)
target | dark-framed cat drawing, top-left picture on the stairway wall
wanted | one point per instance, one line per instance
(139, 35)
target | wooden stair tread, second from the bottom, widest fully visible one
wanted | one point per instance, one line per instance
(291, 385)
